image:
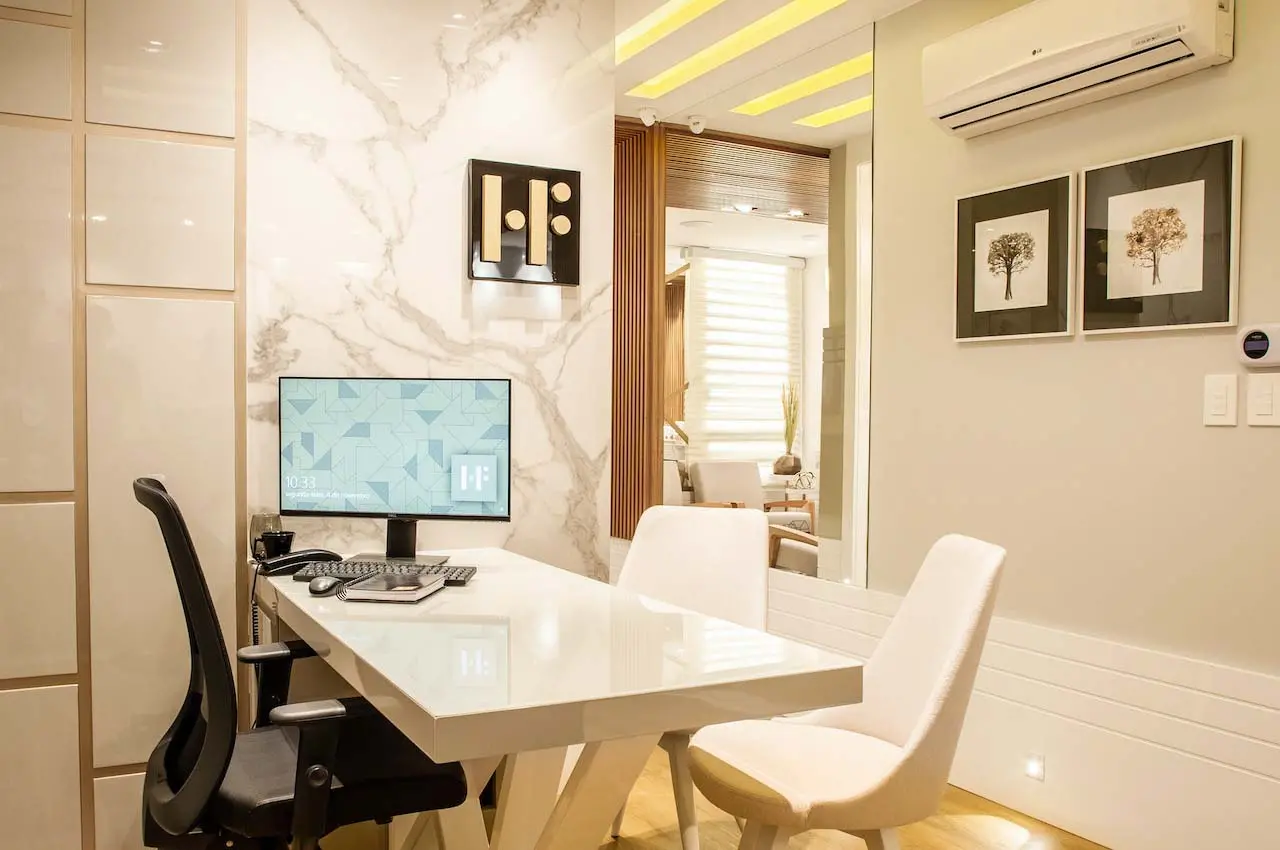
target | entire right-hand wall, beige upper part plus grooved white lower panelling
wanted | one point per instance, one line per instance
(1136, 647)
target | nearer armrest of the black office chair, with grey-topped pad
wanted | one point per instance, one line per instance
(319, 726)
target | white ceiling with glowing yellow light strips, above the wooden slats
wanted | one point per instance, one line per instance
(824, 35)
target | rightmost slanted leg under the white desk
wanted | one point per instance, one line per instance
(595, 793)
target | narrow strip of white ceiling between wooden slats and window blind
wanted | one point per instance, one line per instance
(753, 234)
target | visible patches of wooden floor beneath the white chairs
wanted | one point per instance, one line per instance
(966, 822)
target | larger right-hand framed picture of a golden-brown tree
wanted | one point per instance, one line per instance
(1160, 241)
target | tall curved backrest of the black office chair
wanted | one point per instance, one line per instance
(190, 762)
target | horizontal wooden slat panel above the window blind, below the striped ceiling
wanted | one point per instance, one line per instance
(710, 172)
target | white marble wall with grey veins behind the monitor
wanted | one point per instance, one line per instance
(363, 118)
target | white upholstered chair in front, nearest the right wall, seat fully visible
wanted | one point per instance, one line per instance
(883, 764)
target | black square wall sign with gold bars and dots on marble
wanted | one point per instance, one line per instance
(525, 223)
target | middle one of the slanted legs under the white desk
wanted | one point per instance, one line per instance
(527, 794)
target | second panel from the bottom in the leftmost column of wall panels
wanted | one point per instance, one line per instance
(38, 605)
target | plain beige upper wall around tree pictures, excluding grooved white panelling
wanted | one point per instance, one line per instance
(1124, 518)
